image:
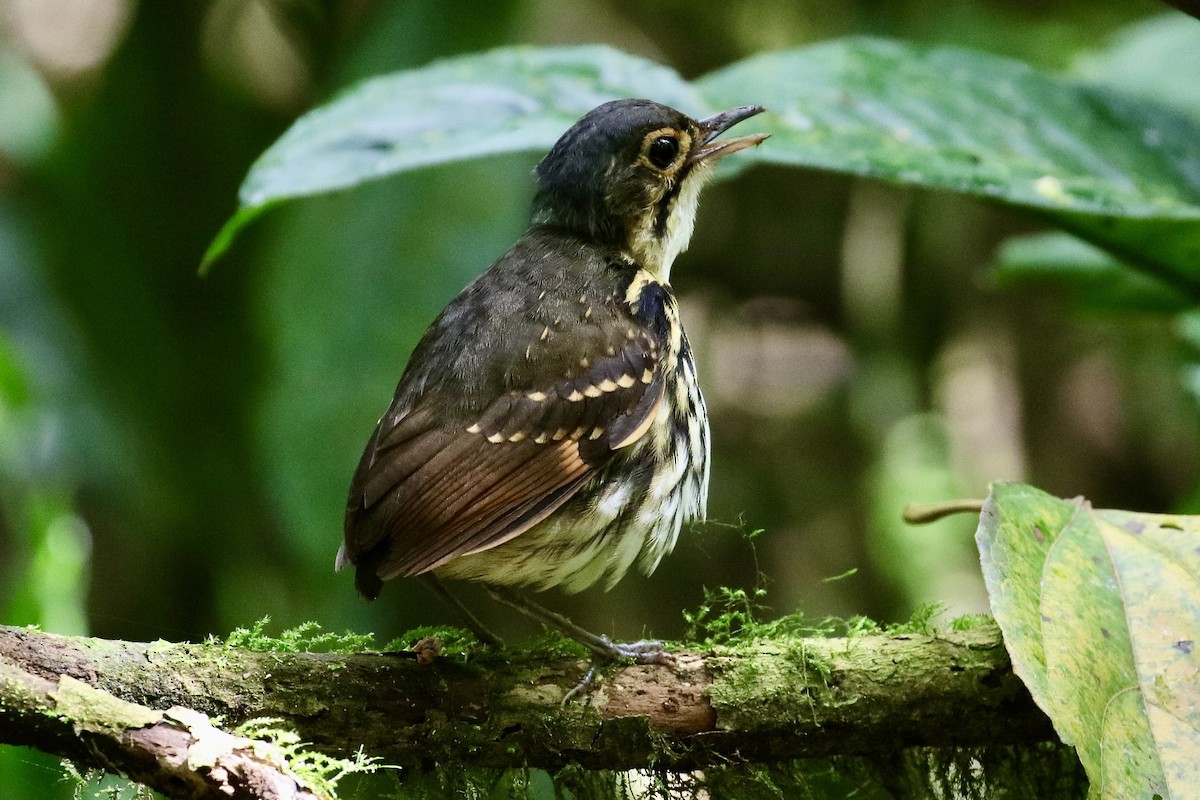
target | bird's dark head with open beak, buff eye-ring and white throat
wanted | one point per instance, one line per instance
(629, 175)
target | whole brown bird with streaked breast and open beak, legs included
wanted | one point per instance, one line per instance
(549, 429)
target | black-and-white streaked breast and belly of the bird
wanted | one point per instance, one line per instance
(631, 512)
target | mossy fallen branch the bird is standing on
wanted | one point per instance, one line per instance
(761, 701)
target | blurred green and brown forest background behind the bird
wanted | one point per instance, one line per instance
(176, 450)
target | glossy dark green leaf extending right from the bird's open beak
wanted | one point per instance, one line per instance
(1120, 172)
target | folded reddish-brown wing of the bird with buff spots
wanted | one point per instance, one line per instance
(429, 491)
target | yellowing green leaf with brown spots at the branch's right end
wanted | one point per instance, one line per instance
(1101, 613)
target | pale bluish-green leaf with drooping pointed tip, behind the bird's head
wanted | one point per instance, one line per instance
(503, 101)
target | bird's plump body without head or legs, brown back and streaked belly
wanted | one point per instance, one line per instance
(549, 430)
